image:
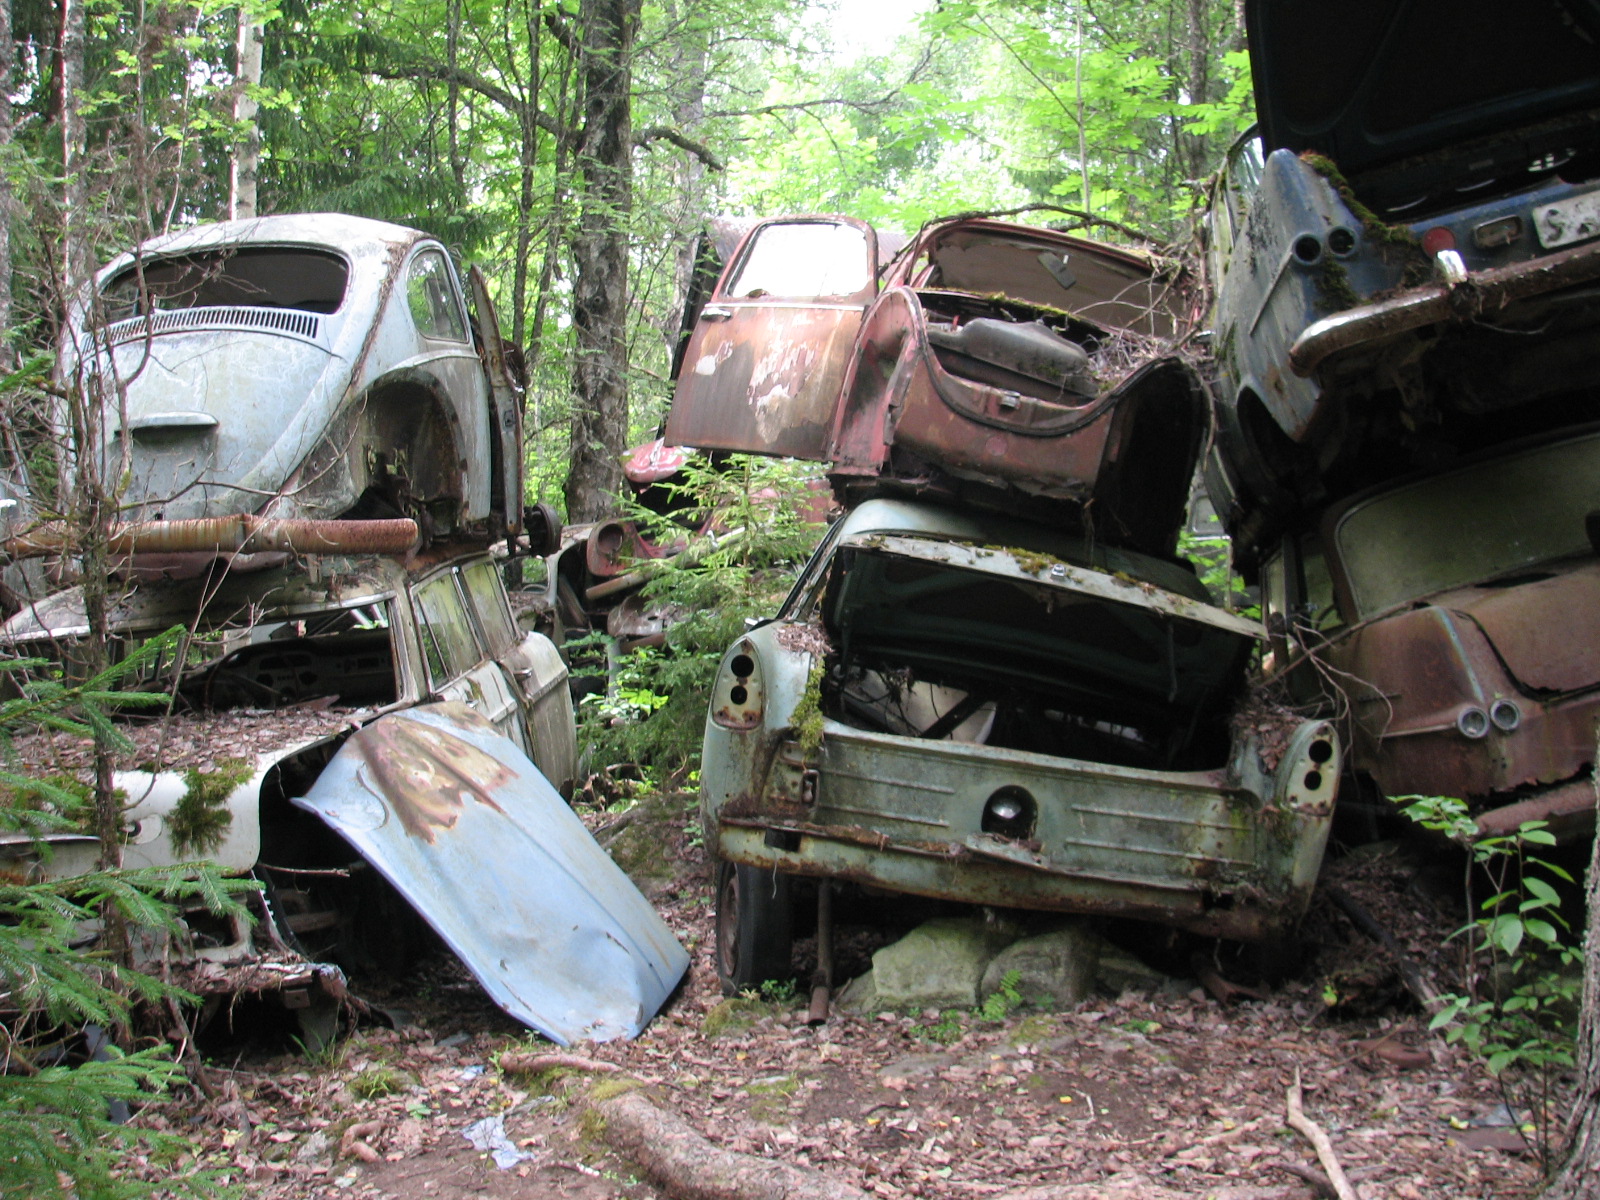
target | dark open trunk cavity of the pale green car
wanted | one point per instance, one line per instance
(934, 652)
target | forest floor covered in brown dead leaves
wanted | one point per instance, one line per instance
(1156, 1094)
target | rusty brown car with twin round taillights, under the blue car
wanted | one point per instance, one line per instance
(1455, 620)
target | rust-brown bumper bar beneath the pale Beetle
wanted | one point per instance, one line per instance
(239, 534)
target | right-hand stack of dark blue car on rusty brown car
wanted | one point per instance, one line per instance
(1409, 436)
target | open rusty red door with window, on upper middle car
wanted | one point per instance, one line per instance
(764, 369)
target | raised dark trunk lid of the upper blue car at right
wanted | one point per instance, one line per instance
(1380, 81)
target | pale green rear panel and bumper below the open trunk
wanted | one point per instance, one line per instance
(1185, 849)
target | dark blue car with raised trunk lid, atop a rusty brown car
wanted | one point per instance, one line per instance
(1406, 257)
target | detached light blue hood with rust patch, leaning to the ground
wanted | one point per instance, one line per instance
(484, 849)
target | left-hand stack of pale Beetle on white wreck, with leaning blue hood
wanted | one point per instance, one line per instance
(316, 449)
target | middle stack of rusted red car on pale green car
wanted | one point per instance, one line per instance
(994, 682)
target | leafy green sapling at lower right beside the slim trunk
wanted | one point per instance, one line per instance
(1521, 1002)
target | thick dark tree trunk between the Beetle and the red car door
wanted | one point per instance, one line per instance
(601, 260)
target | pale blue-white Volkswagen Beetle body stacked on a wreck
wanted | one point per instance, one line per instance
(308, 367)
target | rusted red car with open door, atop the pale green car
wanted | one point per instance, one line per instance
(1006, 366)
